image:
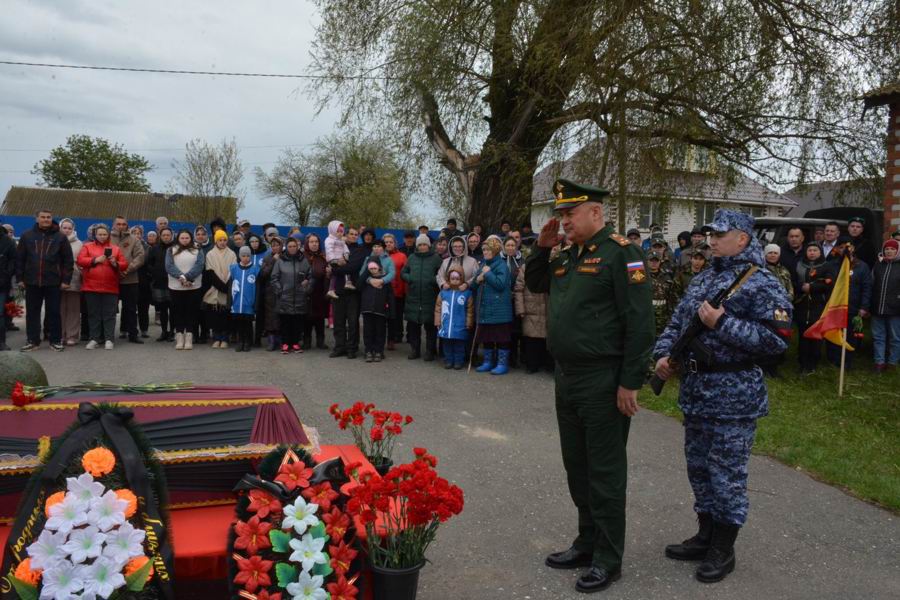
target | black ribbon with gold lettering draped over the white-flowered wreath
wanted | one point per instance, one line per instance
(93, 423)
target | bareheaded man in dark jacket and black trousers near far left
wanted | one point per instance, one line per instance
(43, 268)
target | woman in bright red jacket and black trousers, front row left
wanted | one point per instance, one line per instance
(101, 263)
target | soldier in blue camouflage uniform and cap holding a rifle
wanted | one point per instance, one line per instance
(721, 400)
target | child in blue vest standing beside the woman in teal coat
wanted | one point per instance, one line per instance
(454, 316)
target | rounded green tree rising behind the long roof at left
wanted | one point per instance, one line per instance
(87, 163)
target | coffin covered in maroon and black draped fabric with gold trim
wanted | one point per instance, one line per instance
(206, 438)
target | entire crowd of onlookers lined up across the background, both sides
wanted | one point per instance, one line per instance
(224, 288)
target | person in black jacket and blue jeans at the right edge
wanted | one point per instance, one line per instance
(886, 307)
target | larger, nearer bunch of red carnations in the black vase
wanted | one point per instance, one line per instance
(403, 510)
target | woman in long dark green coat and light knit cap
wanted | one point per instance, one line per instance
(420, 275)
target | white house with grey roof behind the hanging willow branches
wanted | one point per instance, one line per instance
(676, 189)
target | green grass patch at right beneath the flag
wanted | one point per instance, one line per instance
(852, 442)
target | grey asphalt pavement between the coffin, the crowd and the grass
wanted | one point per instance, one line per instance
(496, 438)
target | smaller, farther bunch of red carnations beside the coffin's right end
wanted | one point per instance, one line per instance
(377, 440)
